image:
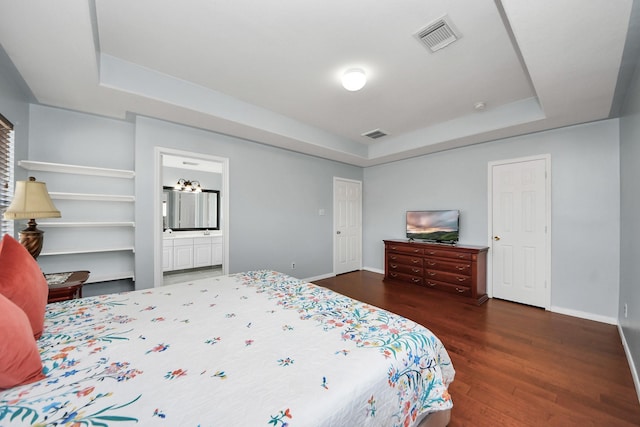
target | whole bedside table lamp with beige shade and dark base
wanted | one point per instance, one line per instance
(31, 200)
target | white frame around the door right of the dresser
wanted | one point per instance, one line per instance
(547, 278)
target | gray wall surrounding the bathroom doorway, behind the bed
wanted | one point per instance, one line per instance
(274, 199)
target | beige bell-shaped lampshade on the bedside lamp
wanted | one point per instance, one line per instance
(31, 200)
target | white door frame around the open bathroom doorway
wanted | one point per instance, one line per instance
(157, 206)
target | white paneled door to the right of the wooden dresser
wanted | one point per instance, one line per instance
(519, 218)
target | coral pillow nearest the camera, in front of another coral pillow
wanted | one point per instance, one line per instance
(19, 357)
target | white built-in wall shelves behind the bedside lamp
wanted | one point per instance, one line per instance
(85, 238)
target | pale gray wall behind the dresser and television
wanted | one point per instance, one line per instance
(584, 217)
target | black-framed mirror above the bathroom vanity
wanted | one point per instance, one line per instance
(185, 211)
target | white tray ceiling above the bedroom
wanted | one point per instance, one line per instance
(269, 71)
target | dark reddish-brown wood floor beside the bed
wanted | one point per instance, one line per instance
(515, 365)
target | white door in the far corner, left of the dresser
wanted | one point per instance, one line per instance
(347, 225)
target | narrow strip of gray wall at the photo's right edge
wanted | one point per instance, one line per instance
(629, 213)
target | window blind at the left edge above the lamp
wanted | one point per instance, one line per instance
(6, 173)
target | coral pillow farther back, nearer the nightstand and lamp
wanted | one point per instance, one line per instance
(22, 281)
